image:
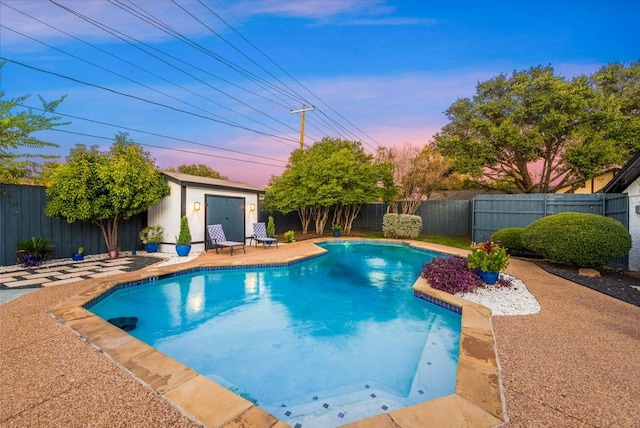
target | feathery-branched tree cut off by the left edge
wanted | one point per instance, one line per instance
(16, 129)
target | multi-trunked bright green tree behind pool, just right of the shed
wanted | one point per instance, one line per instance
(332, 174)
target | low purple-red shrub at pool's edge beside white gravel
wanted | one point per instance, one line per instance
(451, 274)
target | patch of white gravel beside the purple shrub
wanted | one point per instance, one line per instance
(515, 300)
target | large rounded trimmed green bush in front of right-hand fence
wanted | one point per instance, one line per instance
(577, 239)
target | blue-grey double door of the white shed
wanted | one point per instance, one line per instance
(229, 212)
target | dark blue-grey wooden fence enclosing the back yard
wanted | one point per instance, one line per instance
(22, 216)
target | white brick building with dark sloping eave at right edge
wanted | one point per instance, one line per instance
(628, 181)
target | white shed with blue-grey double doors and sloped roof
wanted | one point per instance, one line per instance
(205, 201)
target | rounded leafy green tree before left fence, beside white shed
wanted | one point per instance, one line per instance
(105, 187)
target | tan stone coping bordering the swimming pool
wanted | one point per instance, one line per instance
(477, 401)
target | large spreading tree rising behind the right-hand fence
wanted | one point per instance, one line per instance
(532, 120)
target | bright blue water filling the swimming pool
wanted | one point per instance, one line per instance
(321, 342)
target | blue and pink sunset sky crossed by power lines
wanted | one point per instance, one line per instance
(217, 86)
